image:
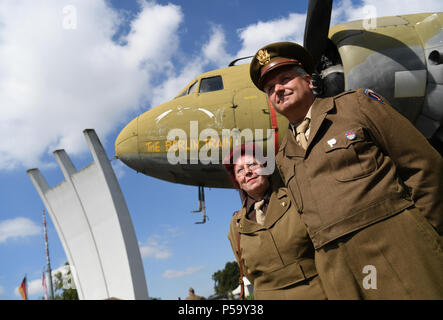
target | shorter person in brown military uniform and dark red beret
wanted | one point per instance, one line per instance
(268, 238)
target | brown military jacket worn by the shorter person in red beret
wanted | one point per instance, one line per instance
(277, 254)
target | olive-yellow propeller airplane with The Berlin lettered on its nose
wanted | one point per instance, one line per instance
(399, 57)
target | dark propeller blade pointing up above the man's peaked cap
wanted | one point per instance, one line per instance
(317, 27)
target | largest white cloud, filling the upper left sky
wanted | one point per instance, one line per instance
(55, 82)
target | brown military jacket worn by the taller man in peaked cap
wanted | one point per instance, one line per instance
(364, 163)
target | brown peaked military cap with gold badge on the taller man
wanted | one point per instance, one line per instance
(278, 54)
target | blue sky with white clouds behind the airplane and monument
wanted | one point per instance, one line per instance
(122, 58)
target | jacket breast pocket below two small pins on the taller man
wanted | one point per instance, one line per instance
(351, 155)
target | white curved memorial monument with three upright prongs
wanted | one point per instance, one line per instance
(94, 225)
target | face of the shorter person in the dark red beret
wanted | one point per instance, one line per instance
(246, 172)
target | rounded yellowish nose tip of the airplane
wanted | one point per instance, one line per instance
(126, 144)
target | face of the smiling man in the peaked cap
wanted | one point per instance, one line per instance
(289, 93)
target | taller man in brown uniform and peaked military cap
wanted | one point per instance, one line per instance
(366, 183)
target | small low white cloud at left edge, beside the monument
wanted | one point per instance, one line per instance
(18, 228)
